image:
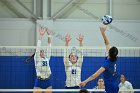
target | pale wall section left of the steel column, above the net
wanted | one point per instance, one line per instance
(17, 32)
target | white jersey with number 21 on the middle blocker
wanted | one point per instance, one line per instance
(73, 71)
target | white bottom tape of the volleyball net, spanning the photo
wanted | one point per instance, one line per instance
(66, 90)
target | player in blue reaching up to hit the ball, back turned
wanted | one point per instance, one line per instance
(108, 68)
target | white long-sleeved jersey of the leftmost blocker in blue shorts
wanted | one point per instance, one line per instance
(41, 64)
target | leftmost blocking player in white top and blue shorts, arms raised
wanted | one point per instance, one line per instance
(43, 71)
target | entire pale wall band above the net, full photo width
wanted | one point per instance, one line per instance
(21, 32)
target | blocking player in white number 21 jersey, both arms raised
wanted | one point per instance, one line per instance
(73, 64)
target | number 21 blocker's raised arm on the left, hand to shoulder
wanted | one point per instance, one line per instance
(66, 55)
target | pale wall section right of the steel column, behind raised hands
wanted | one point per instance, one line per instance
(92, 36)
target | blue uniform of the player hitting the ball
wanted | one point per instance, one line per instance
(110, 76)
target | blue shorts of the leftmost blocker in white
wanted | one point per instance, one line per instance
(42, 83)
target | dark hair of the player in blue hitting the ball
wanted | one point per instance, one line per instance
(113, 52)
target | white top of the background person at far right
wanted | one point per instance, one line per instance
(125, 86)
